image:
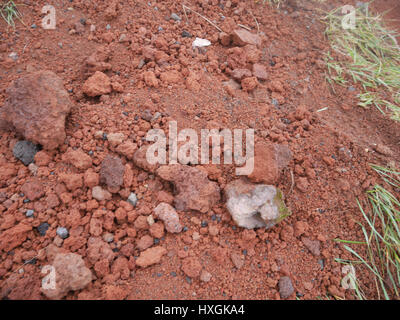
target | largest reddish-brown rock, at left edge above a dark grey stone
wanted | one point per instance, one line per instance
(36, 107)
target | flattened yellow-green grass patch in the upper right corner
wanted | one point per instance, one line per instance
(371, 57)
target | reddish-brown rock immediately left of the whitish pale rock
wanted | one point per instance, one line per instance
(194, 190)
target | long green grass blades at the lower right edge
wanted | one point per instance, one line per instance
(382, 238)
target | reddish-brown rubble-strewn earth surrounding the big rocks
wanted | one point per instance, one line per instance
(142, 69)
